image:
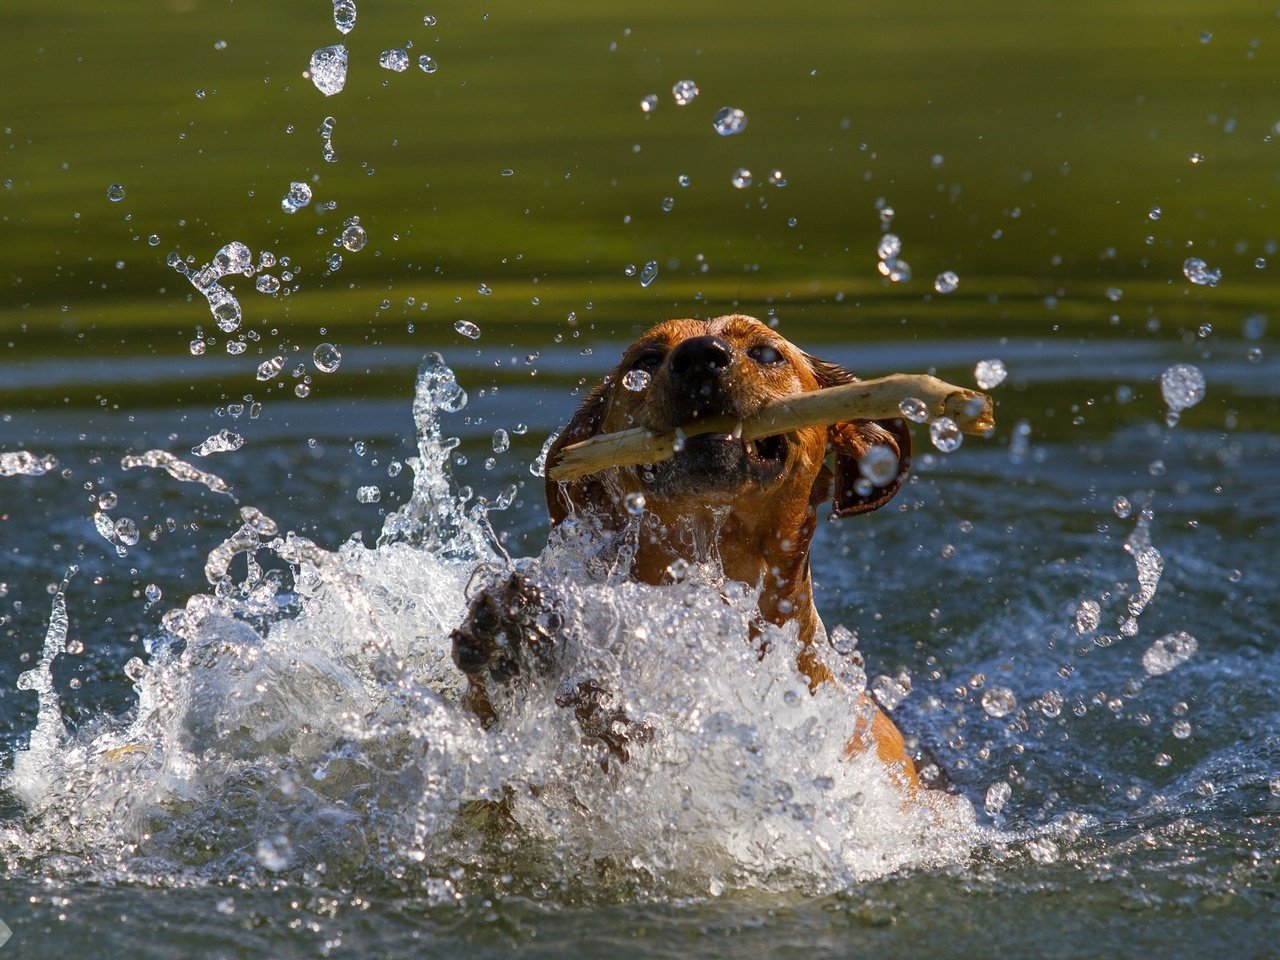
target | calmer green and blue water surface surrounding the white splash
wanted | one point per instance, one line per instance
(1025, 150)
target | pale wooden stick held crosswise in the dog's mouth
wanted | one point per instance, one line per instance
(865, 400)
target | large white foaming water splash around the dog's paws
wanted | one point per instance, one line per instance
(304, 720)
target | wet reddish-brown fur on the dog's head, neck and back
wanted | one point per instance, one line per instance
(760, 527)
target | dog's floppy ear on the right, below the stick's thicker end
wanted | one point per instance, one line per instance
(851, 442)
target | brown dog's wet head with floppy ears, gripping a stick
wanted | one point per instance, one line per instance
(684, 371)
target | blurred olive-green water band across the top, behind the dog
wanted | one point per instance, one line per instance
(1021, 145)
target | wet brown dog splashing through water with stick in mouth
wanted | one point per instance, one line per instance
(751, 506)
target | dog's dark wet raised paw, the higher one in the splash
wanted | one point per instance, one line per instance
(510, 628)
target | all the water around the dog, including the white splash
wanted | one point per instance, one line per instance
(237, 726)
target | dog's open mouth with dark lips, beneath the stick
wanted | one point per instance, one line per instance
(710, 463)
